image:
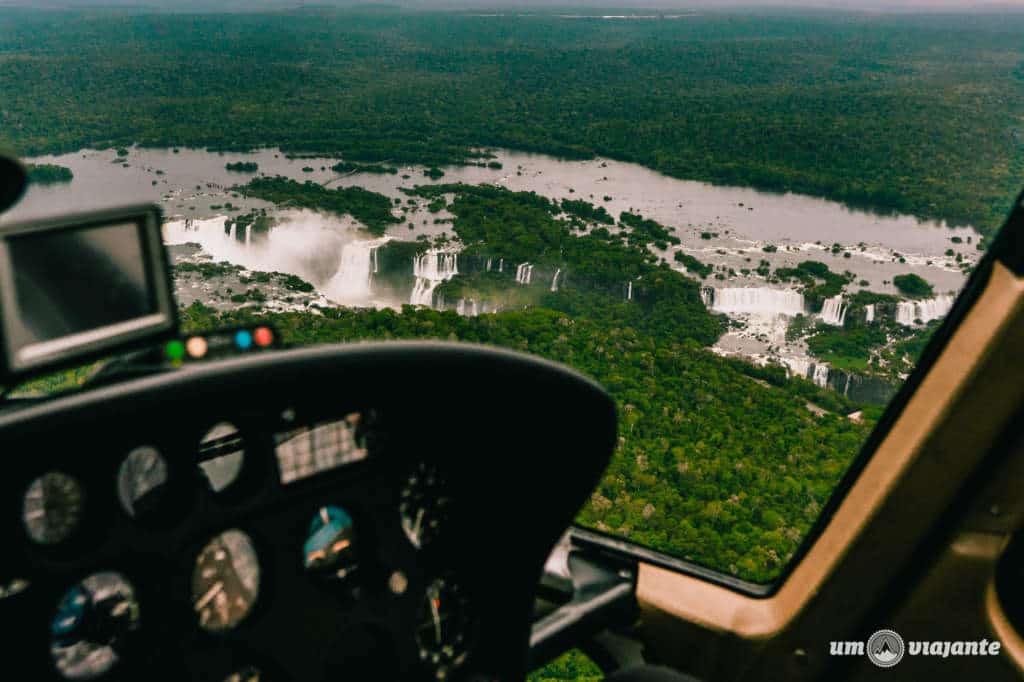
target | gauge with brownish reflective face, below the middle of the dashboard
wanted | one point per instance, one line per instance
(226, 581)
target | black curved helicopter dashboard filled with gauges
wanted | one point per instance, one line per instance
(374, 511)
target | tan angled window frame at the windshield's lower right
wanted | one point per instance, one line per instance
(932, 435)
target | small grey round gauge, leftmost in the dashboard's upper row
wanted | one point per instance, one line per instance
(53, 508)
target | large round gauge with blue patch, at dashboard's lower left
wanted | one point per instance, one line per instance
(92, 627)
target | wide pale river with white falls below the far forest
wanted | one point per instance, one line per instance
(726, 227)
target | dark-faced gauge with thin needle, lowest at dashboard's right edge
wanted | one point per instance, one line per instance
(444, 630)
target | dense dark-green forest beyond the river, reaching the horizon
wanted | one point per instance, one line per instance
(918, 114)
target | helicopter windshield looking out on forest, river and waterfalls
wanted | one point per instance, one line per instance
(746, 225)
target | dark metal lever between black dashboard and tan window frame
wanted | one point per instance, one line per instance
(604, 596)
